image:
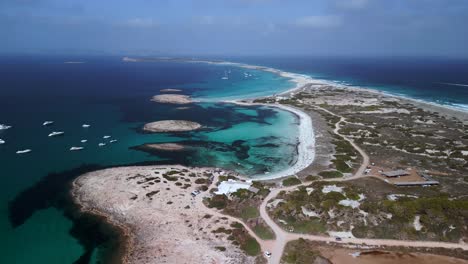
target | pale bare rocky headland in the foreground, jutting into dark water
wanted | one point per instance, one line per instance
(162, 221)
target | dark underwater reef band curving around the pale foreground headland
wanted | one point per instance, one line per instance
(91, 231)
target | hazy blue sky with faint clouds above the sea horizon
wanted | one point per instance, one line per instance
(236, 27)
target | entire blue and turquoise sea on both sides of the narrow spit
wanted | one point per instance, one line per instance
(114, 98)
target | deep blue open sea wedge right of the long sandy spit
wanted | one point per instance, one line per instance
(436, 80)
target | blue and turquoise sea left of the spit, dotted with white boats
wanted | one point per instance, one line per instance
(113, 97)
